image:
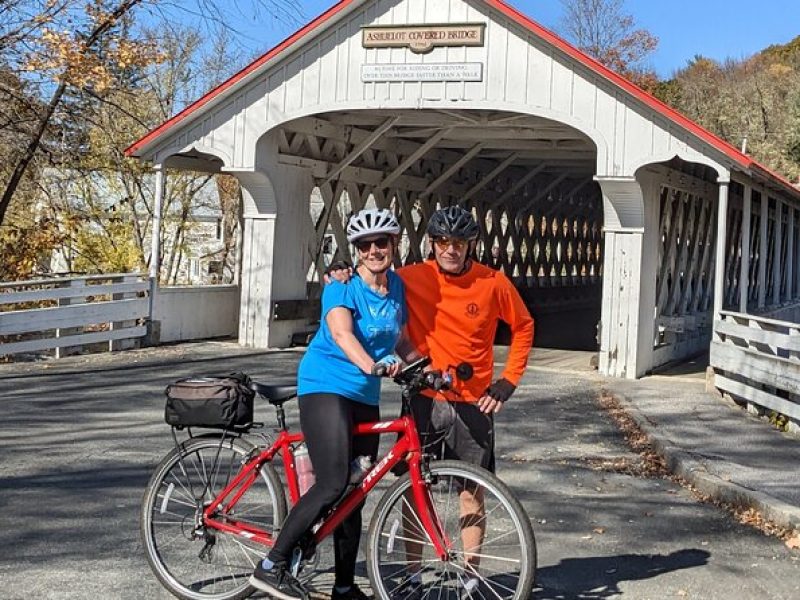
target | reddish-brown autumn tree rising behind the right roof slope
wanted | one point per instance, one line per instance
(601, 29)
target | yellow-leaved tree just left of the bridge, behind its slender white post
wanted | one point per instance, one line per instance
(107, 198)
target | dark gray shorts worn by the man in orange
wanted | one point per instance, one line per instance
(455, 430)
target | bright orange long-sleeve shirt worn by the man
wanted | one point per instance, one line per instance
(453, 319)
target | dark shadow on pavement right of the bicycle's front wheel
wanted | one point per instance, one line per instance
(599, 576)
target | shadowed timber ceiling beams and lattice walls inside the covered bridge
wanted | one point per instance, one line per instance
(528, 181)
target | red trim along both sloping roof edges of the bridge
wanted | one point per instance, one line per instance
(500, 5)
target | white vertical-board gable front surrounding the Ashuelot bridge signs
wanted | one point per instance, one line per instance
(520, 71)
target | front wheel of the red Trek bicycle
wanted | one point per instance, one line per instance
(492, 551)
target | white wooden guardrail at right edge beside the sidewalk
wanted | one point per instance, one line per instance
(758, 360)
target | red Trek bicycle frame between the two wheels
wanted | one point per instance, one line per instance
(407, 448)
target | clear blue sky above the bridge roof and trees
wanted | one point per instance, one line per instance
(716, 29)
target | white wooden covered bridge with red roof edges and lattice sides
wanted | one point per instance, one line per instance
(600, 202)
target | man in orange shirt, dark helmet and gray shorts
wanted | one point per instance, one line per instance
(454, 306)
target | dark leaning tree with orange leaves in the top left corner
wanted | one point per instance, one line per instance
(62, 46)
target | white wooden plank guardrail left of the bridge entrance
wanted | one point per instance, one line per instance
(67, 314)
